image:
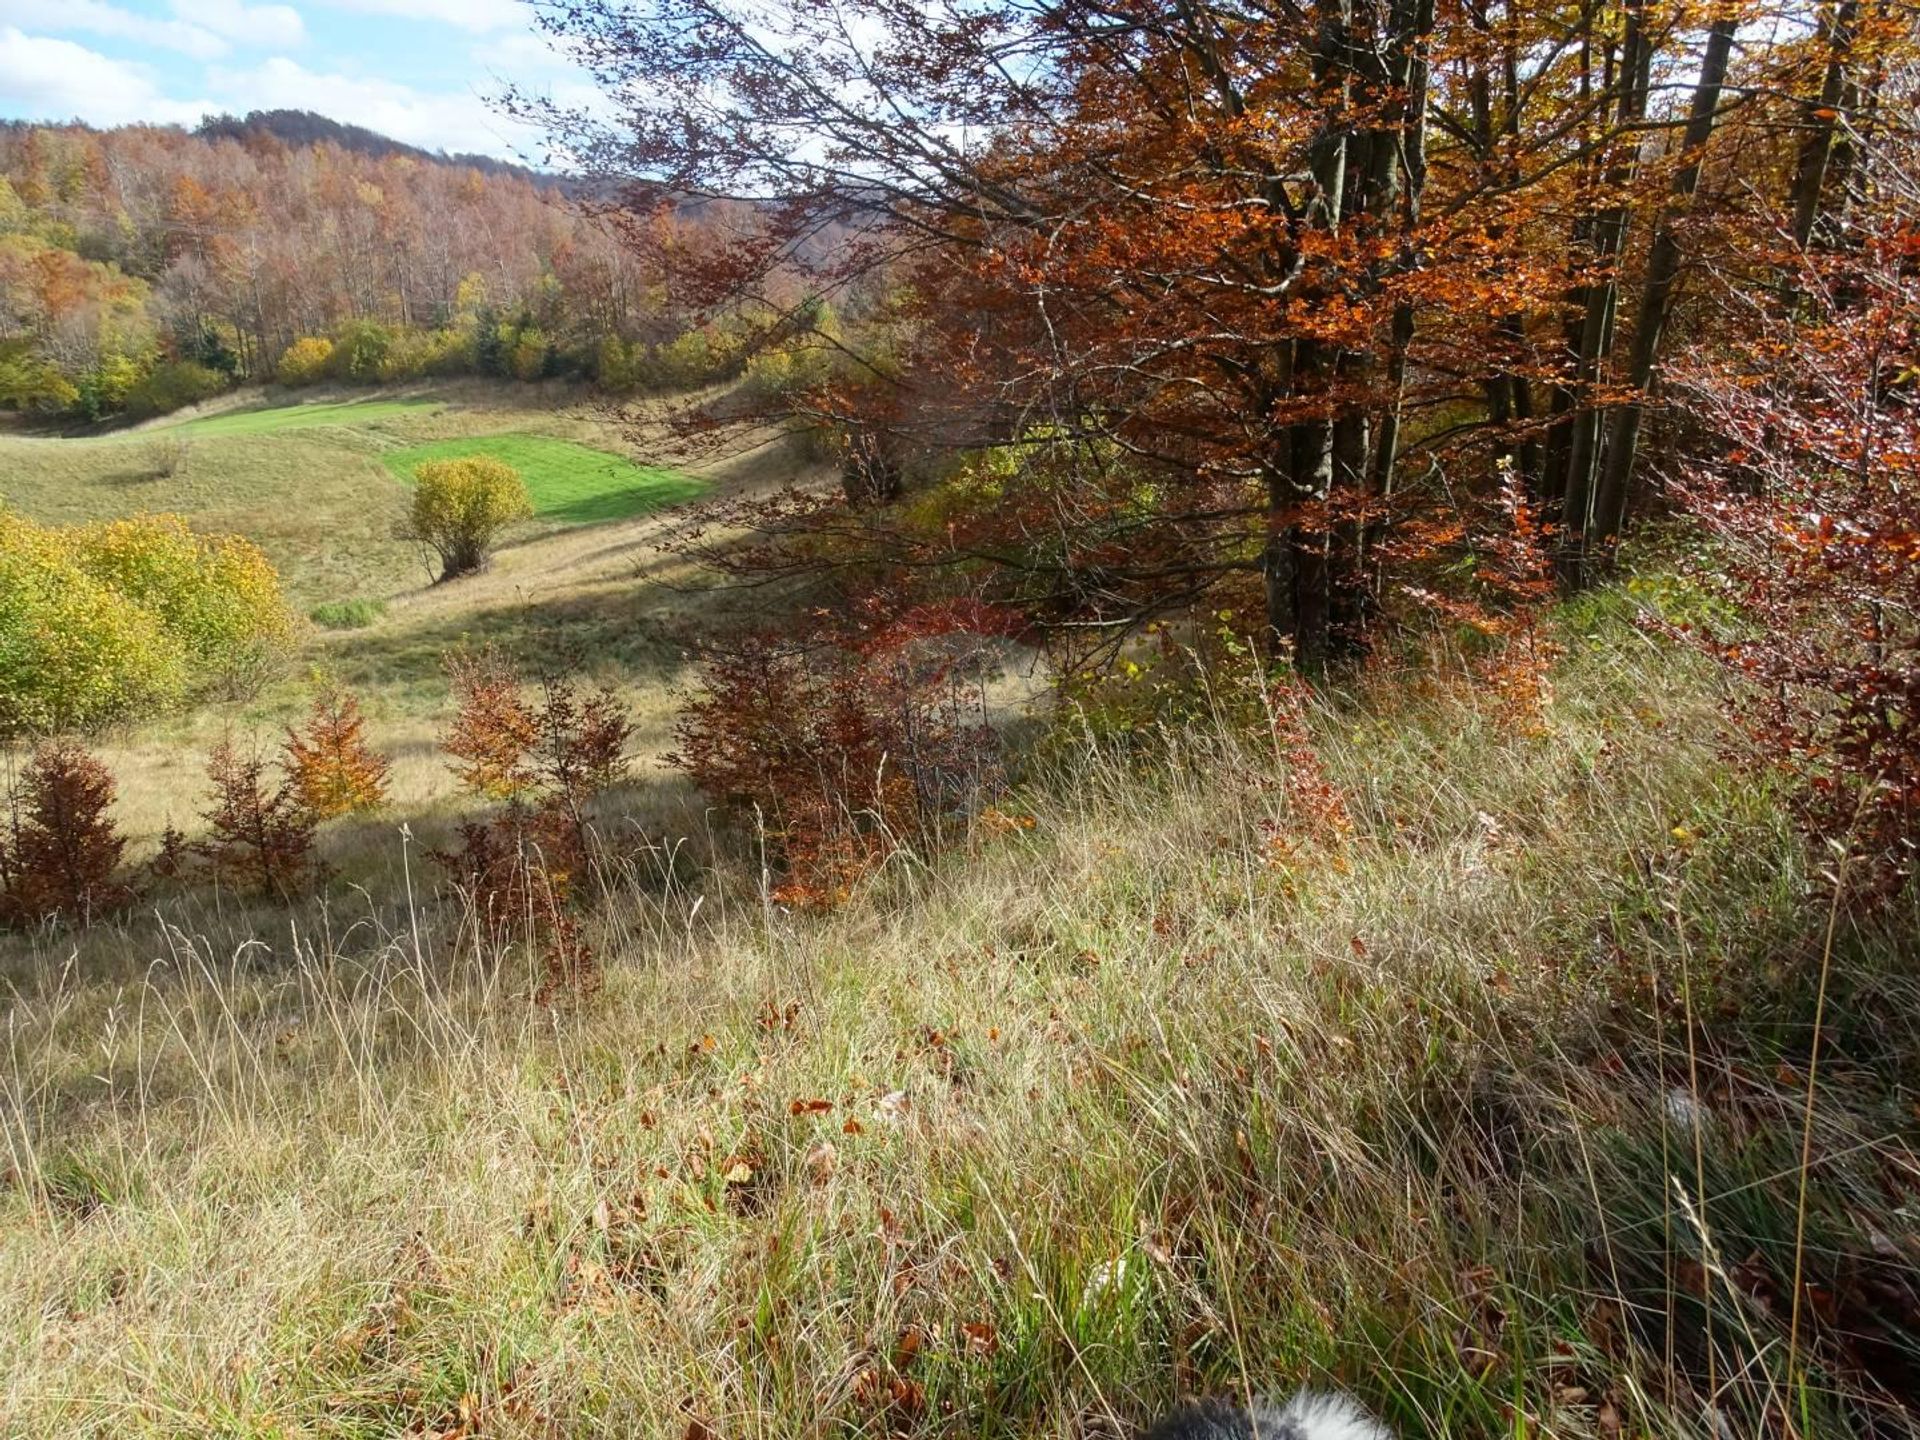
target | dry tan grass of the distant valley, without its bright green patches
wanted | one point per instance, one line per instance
(324, 508)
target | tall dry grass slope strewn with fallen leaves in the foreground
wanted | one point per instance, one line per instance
(1020, 1143)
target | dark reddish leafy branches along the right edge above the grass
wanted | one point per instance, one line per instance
(1806, 471)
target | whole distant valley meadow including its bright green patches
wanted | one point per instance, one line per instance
(320, 487)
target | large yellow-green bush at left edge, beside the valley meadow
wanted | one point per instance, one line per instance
(130, 617)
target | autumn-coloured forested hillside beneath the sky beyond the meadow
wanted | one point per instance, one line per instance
(147, 268)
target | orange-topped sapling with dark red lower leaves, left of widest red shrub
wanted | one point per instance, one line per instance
(544, 757)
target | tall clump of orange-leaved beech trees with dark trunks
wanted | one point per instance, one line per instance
(1237, 287)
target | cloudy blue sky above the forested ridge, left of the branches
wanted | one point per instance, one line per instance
(418, 70)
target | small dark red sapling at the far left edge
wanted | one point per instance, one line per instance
(60, 848)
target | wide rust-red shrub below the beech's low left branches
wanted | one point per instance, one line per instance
(850, 744)
